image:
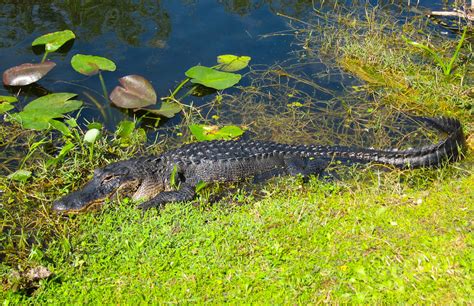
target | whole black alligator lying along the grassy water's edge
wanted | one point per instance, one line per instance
(174, 175)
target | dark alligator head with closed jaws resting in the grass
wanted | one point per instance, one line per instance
(120, 178)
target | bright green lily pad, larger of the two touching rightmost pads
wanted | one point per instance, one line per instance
(212, 78)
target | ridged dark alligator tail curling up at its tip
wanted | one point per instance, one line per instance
(452, 148)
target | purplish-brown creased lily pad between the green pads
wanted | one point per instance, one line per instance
(135, 92)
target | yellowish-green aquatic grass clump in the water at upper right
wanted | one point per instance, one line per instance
(373, 50)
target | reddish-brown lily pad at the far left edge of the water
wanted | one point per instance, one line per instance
(26, 74)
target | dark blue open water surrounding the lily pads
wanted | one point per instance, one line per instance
(159, 40)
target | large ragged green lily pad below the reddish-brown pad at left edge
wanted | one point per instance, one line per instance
(40, 113)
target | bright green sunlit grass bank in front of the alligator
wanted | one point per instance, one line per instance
(376, 240)
